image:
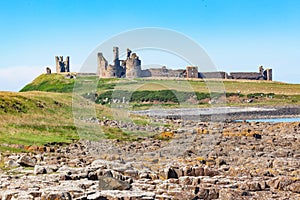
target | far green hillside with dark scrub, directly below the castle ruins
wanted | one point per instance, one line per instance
(142, 93)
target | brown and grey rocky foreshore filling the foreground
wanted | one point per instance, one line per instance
(196, 160)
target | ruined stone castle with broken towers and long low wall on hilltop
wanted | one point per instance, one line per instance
(131, 68)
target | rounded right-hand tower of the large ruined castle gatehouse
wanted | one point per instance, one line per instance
(133, 66)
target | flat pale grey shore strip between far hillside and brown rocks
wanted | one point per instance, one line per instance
(224, 113)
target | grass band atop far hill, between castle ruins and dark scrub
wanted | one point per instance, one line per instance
(57, 83)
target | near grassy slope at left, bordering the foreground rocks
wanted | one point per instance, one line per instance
(38, 118)
